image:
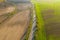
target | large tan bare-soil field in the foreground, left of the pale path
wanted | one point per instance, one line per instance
(14, 28)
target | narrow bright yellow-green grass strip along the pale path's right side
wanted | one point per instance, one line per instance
(40, 33)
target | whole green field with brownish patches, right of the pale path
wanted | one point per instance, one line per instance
(41, 32)
